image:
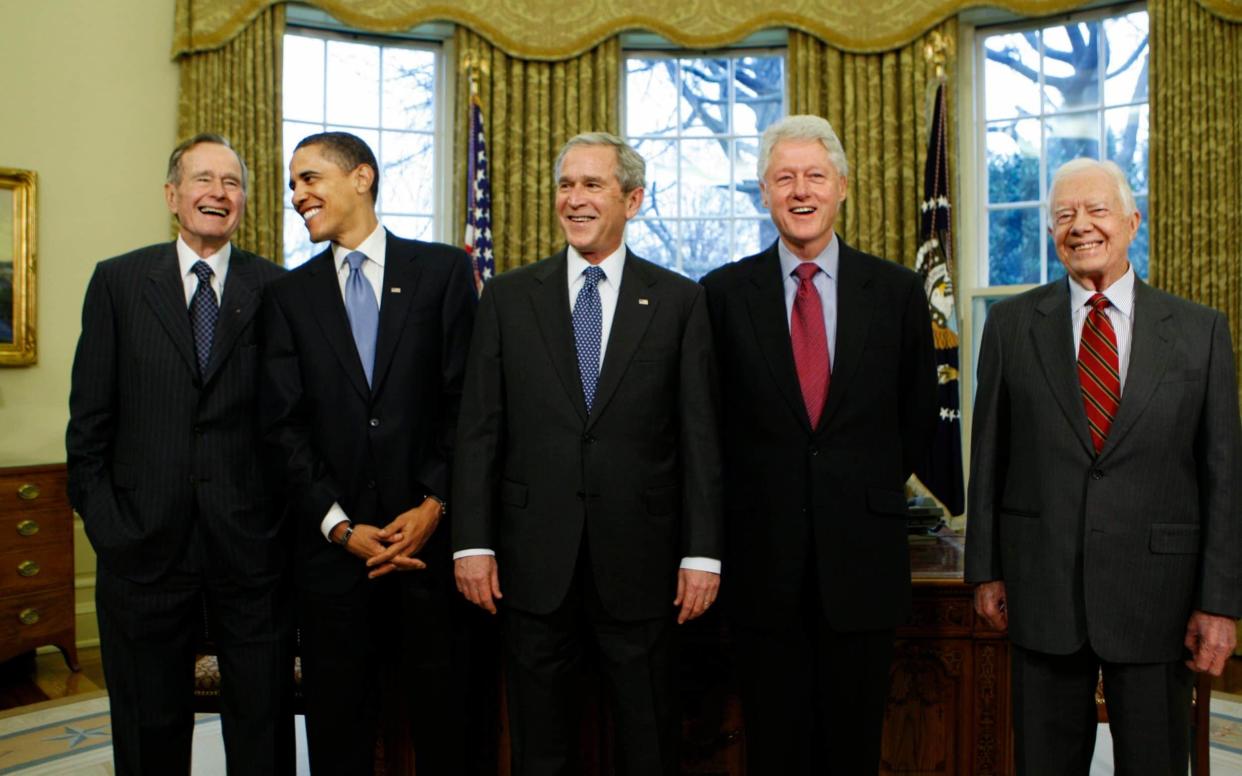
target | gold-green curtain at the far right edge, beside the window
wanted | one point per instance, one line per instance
(1197, 157)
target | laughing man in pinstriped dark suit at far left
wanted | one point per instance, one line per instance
(166, 474)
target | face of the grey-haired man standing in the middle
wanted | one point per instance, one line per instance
(591, 204)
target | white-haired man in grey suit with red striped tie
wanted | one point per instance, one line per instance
(1105, 516)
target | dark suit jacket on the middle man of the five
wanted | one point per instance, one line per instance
(638, 480)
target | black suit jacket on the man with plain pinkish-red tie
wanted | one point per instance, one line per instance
(834, 494)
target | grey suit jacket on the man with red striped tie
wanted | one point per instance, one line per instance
(1115, 551)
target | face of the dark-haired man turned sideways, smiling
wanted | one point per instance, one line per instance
(335, 203)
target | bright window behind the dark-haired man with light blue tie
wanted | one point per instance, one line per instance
(386, 92)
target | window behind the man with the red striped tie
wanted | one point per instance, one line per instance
(1044, 95)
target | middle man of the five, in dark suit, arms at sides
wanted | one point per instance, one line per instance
(588, 471)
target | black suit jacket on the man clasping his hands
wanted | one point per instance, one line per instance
(374, 450)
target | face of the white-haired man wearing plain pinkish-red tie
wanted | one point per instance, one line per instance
(803, 192)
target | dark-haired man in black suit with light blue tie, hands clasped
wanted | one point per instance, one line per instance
(365, 354)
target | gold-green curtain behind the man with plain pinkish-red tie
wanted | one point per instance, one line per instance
(880, 106)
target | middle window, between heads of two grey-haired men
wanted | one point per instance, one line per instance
(697, 122)
